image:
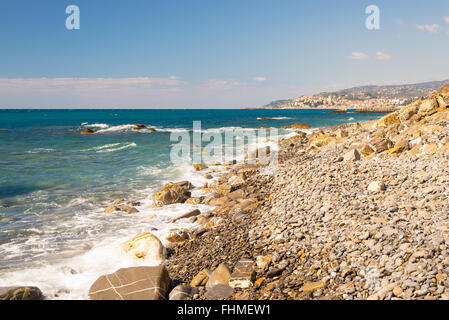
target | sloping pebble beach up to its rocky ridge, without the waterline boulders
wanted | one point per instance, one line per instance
(351, 213)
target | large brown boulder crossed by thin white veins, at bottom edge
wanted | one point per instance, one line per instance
(135, 283)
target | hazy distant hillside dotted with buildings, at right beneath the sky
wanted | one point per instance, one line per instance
(389, 91)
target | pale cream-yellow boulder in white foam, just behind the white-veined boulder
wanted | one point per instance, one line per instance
(145, 246)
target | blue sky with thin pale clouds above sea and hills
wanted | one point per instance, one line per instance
(212, 53)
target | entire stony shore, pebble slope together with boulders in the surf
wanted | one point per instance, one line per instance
(353, 211)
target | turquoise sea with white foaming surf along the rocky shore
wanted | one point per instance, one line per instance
(55, 184)
